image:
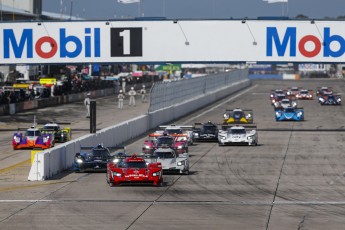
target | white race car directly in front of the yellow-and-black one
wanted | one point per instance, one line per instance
(238, 135)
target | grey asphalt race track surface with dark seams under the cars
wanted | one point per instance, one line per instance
(294, 179)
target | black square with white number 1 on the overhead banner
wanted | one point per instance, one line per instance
(126, 42)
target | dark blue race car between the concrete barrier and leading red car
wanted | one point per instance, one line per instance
(95, 159)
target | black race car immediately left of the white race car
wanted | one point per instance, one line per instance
(205, 132)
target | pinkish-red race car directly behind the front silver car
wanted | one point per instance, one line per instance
(160, 139)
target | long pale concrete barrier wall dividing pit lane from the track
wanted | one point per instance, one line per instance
(53, 161)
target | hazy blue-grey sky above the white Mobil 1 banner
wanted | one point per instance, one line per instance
(195, 9)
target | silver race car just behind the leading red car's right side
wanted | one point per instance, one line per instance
(171, 162)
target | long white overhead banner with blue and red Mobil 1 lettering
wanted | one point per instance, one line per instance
(172, 41)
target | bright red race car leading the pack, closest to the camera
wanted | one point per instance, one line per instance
(134, 170)
